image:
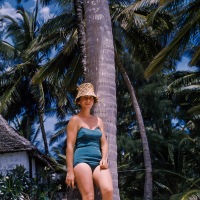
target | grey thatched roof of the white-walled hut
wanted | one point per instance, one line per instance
(11, 141)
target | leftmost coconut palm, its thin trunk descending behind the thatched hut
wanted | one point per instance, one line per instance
(18, 95)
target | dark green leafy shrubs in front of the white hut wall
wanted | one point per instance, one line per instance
(17, 184)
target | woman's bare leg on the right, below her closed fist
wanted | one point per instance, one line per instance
(102, 178)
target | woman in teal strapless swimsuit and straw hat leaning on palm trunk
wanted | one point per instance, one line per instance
(87, 149)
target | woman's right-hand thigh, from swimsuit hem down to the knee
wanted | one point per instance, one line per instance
(102, 178)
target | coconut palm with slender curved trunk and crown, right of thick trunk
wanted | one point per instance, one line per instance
(137, 38)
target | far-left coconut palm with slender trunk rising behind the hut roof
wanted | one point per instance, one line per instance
(17, 79)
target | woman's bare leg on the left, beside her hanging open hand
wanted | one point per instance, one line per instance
(83, 174)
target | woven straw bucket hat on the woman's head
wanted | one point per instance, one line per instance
(86, 89)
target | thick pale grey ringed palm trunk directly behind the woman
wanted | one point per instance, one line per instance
(100, 72)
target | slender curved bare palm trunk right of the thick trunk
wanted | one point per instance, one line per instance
(146, 152)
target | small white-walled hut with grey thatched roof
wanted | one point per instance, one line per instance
(16, 150)
